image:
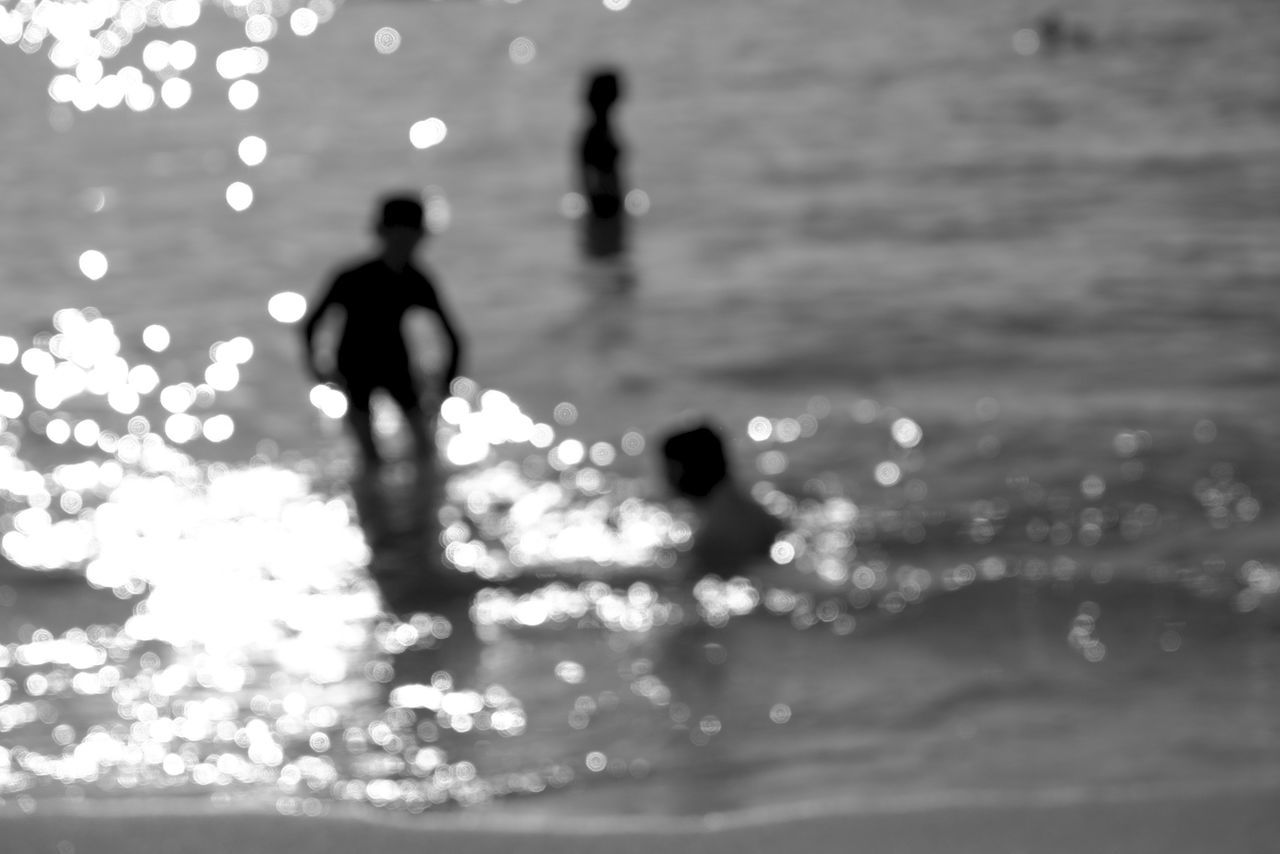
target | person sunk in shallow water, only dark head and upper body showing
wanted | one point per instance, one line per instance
(733, 528)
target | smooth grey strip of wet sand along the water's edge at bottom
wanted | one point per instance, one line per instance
(1229, 824)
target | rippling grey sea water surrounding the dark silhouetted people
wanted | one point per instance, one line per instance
(990, 325)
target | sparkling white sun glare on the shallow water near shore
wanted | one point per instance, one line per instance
(258, 652)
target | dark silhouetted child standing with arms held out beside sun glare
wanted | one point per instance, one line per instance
(374, 298)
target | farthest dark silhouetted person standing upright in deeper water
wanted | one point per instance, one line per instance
(600, 176)
